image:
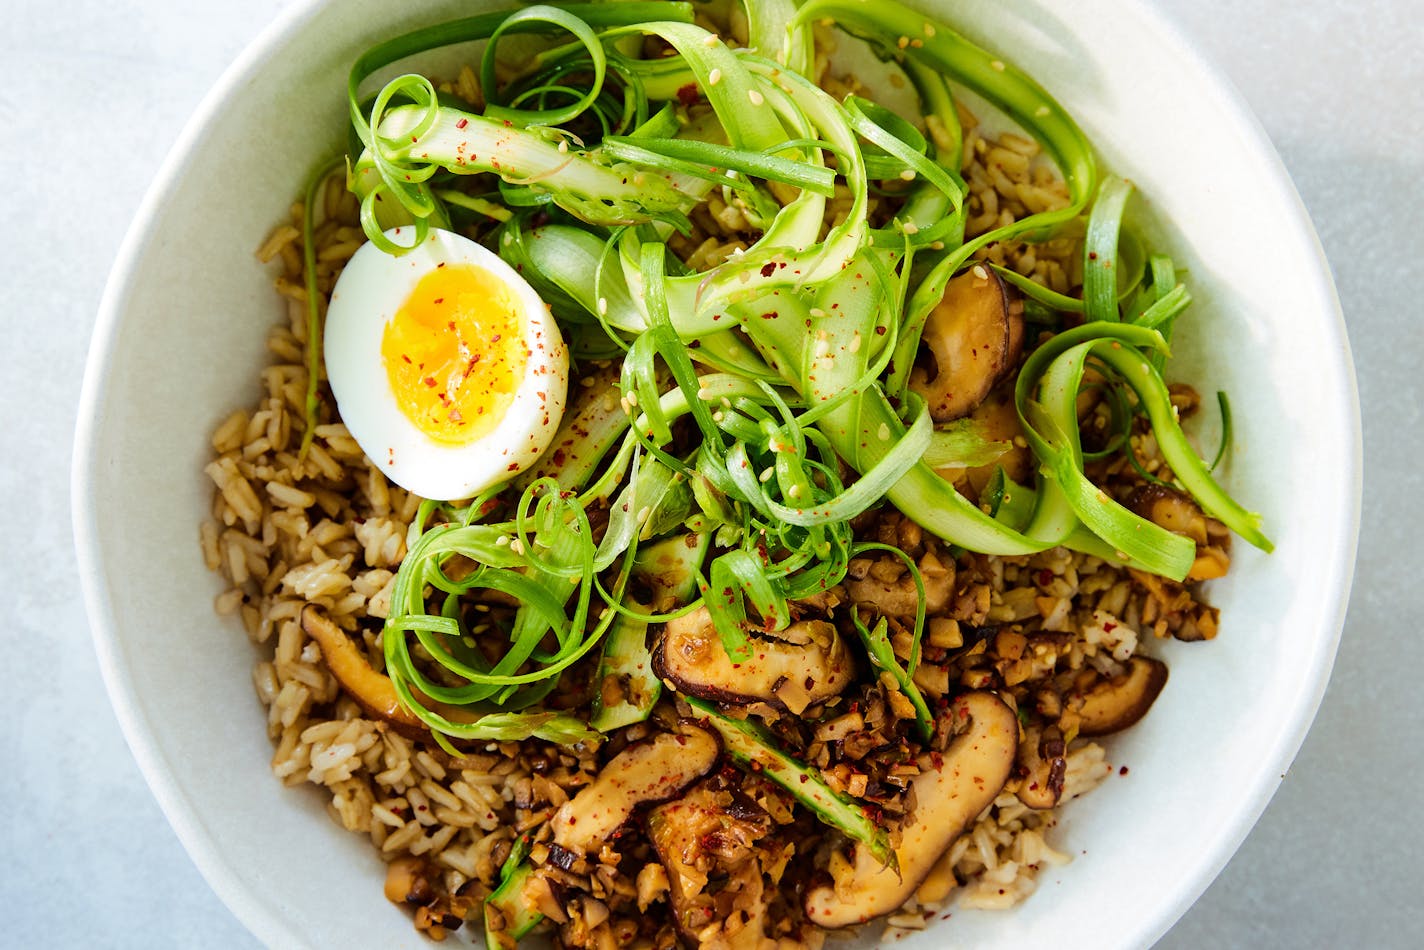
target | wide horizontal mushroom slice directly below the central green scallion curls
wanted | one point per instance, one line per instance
(805, 664)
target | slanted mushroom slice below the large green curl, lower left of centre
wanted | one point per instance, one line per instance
(651, 771)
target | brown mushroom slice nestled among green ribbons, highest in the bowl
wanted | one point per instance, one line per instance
(970, 341)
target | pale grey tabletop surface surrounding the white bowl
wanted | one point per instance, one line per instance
(93, 95)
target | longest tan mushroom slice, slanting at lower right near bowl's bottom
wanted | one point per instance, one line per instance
(949, 797)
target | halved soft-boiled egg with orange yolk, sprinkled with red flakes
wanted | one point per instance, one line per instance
(448, 368)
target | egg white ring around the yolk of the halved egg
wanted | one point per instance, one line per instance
(367, 297)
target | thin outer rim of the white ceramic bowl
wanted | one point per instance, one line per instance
(186, 817)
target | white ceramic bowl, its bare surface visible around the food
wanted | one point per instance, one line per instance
(180, 341)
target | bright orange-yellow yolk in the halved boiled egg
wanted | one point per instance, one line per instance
(455, 354)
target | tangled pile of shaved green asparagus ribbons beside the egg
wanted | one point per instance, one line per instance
(747, 391)
